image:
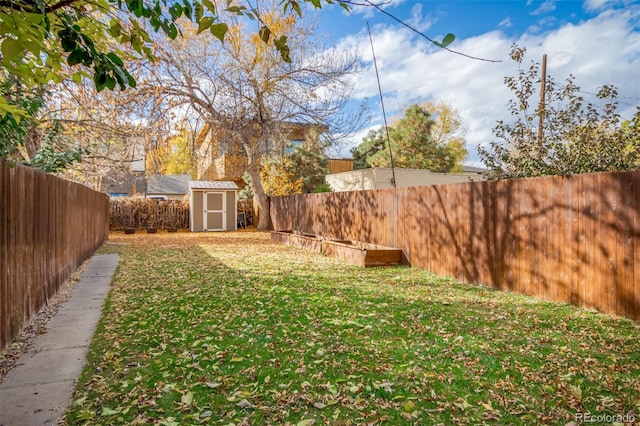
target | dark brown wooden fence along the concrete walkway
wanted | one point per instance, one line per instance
(48, 227)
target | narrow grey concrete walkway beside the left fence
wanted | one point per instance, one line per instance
(39, 389)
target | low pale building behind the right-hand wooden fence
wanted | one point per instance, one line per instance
(378, 178)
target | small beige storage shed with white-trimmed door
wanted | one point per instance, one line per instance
(213, 206)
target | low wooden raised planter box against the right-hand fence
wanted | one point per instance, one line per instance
(362, 254)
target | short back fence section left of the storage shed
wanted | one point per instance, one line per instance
(140, 212)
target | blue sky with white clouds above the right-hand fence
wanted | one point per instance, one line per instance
(597, 41)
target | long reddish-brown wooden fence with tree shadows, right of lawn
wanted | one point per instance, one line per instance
(569, 239)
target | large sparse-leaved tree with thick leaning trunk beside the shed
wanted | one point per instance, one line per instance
(247, 91)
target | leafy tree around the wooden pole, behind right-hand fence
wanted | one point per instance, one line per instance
(577, 136)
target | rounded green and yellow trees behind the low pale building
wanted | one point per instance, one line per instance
(425, 137)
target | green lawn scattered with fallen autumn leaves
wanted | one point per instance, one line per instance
(230, 328)
